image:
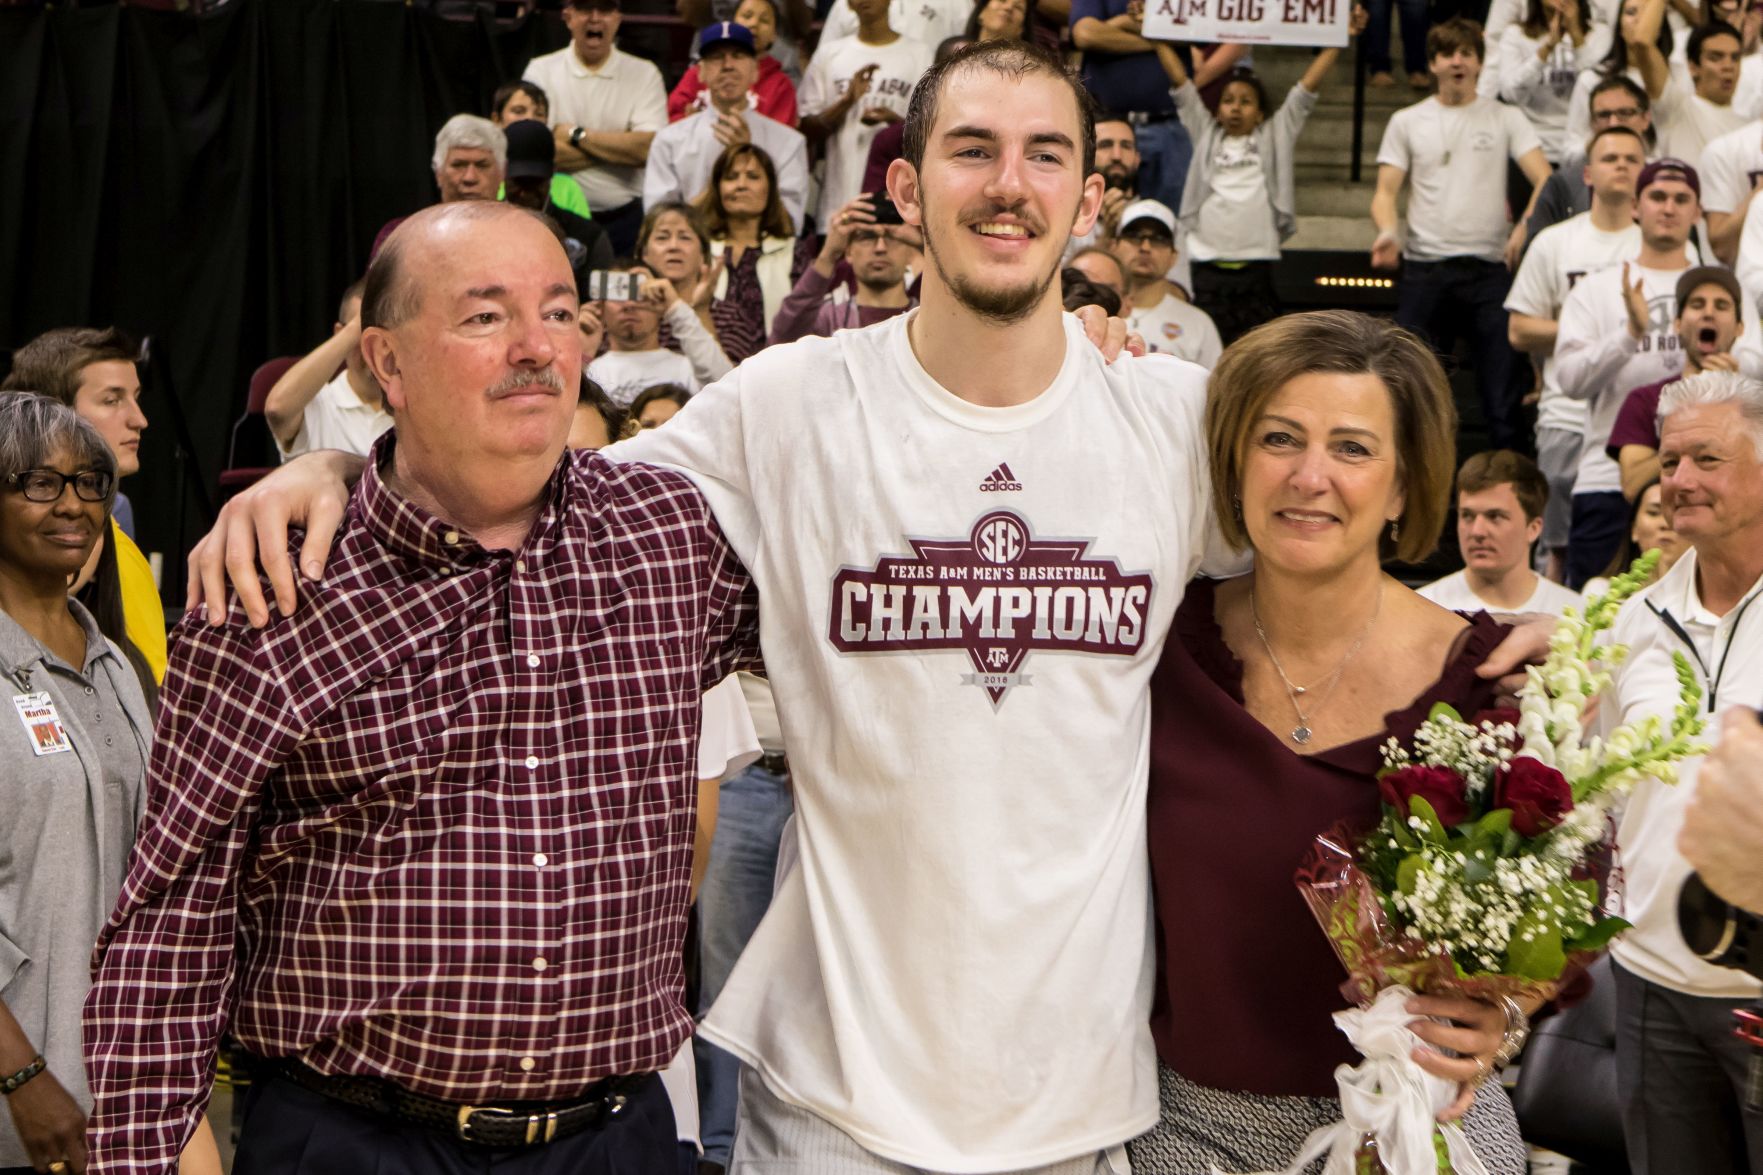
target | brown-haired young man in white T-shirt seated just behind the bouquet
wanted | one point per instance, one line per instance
(1499, 514)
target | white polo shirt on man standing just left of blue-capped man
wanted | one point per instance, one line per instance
(623, 94)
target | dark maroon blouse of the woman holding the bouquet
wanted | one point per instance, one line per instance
(1247, 984)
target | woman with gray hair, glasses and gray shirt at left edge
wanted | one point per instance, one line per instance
(75, 751)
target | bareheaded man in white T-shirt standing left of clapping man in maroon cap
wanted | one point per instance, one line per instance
(1558, 258)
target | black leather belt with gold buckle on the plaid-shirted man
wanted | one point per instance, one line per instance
(507, 1126)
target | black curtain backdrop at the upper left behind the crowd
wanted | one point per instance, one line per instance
(216, 183)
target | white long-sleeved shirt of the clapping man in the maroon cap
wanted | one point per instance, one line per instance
(1596, 359)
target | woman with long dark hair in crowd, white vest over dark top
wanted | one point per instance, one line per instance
(761, 255)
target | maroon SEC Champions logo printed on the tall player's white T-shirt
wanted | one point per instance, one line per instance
(999, 594)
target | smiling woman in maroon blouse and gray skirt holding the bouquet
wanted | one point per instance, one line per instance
(1332, 445)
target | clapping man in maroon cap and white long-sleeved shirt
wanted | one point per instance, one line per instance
(1618, 334)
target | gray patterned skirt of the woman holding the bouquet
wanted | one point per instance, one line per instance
(1205, 1126)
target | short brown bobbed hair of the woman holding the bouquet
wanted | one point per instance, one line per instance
(1272, 355)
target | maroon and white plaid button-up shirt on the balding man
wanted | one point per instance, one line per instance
(436, 827)
